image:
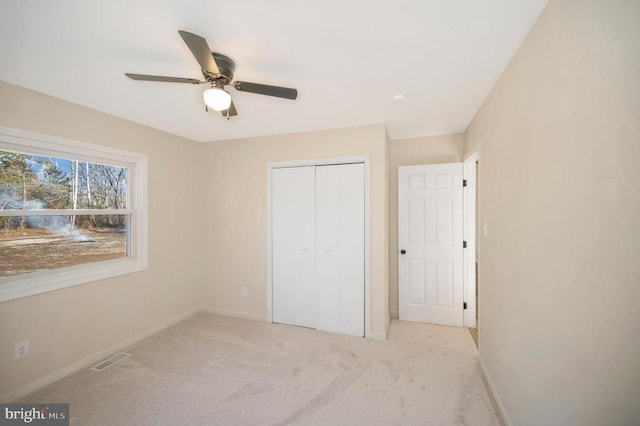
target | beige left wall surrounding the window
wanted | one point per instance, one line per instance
(66, 326)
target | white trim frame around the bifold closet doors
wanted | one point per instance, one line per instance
(367, 227)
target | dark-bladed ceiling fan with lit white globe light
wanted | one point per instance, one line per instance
(217, 69)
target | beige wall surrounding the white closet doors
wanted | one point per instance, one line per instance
(236, 204)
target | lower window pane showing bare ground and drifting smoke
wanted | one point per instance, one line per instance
(35, 243)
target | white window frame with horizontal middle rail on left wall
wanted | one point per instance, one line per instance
(29, 284)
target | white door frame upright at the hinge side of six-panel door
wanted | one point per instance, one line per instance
(469, 232)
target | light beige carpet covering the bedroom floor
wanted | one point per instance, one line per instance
(216, 370)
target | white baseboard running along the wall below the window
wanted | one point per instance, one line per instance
(92, 359)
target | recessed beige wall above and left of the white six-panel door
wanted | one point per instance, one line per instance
(410, 152)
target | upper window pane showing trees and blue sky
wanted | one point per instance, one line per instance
(36, 182)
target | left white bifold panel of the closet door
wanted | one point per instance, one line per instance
(293, 245)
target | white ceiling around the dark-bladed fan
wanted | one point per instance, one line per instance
(347, 58)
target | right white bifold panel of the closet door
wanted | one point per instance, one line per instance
(340, 248)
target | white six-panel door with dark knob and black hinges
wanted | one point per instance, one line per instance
(430, 243)
